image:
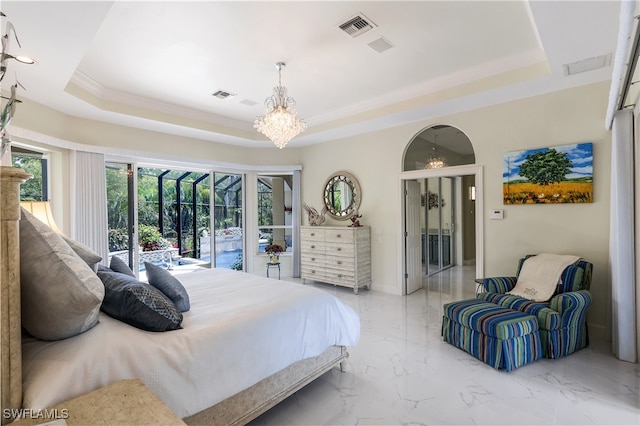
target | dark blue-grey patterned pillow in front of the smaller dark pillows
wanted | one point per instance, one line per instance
(138, 304)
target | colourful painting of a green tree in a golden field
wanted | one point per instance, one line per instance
(561, 174)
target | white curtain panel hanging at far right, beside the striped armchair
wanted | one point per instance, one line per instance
(621, 244)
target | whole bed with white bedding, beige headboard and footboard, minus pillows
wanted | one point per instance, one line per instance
(246, 343)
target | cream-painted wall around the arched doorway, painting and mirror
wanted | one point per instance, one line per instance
(375, 159)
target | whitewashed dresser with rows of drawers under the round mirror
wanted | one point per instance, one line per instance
(336, 255)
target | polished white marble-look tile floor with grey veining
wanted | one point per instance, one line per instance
(401, 373)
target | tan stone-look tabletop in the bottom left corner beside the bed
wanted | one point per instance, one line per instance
(127, 402)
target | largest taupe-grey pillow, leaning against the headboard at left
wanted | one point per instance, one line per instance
(60, 294)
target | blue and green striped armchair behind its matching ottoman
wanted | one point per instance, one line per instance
(563, 319)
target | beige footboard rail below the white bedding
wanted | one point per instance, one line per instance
(250, 403)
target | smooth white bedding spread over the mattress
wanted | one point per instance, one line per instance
(241, 328)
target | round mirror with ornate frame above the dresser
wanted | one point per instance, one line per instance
(342, 195)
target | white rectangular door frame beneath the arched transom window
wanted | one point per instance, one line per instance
(454, 171)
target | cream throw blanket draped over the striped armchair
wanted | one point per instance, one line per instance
(540, 275)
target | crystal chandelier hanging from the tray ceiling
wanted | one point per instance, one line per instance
(280, 123)
